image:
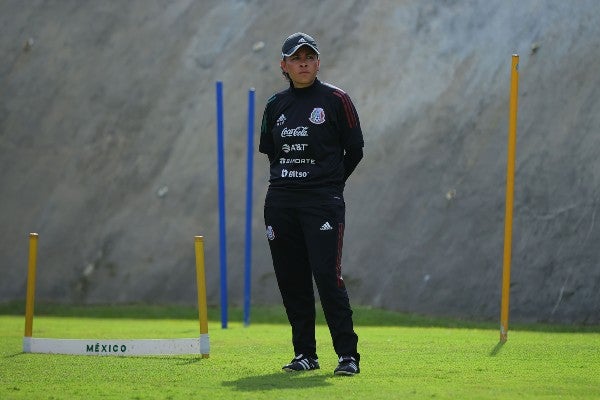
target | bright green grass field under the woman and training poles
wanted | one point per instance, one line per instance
(402, 357)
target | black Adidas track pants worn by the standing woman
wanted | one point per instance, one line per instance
(306, 242)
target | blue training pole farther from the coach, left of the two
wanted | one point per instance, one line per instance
(222, 225)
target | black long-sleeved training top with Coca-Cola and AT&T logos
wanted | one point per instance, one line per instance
(313, 139)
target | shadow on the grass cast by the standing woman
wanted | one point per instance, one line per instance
(279, 380)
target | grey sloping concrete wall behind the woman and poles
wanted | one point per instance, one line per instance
(108, 148)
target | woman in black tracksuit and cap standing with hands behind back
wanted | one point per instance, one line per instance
(311, 134)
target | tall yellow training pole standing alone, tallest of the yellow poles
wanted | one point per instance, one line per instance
(510, 184)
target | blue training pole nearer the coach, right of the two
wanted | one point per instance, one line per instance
(249, 178)
